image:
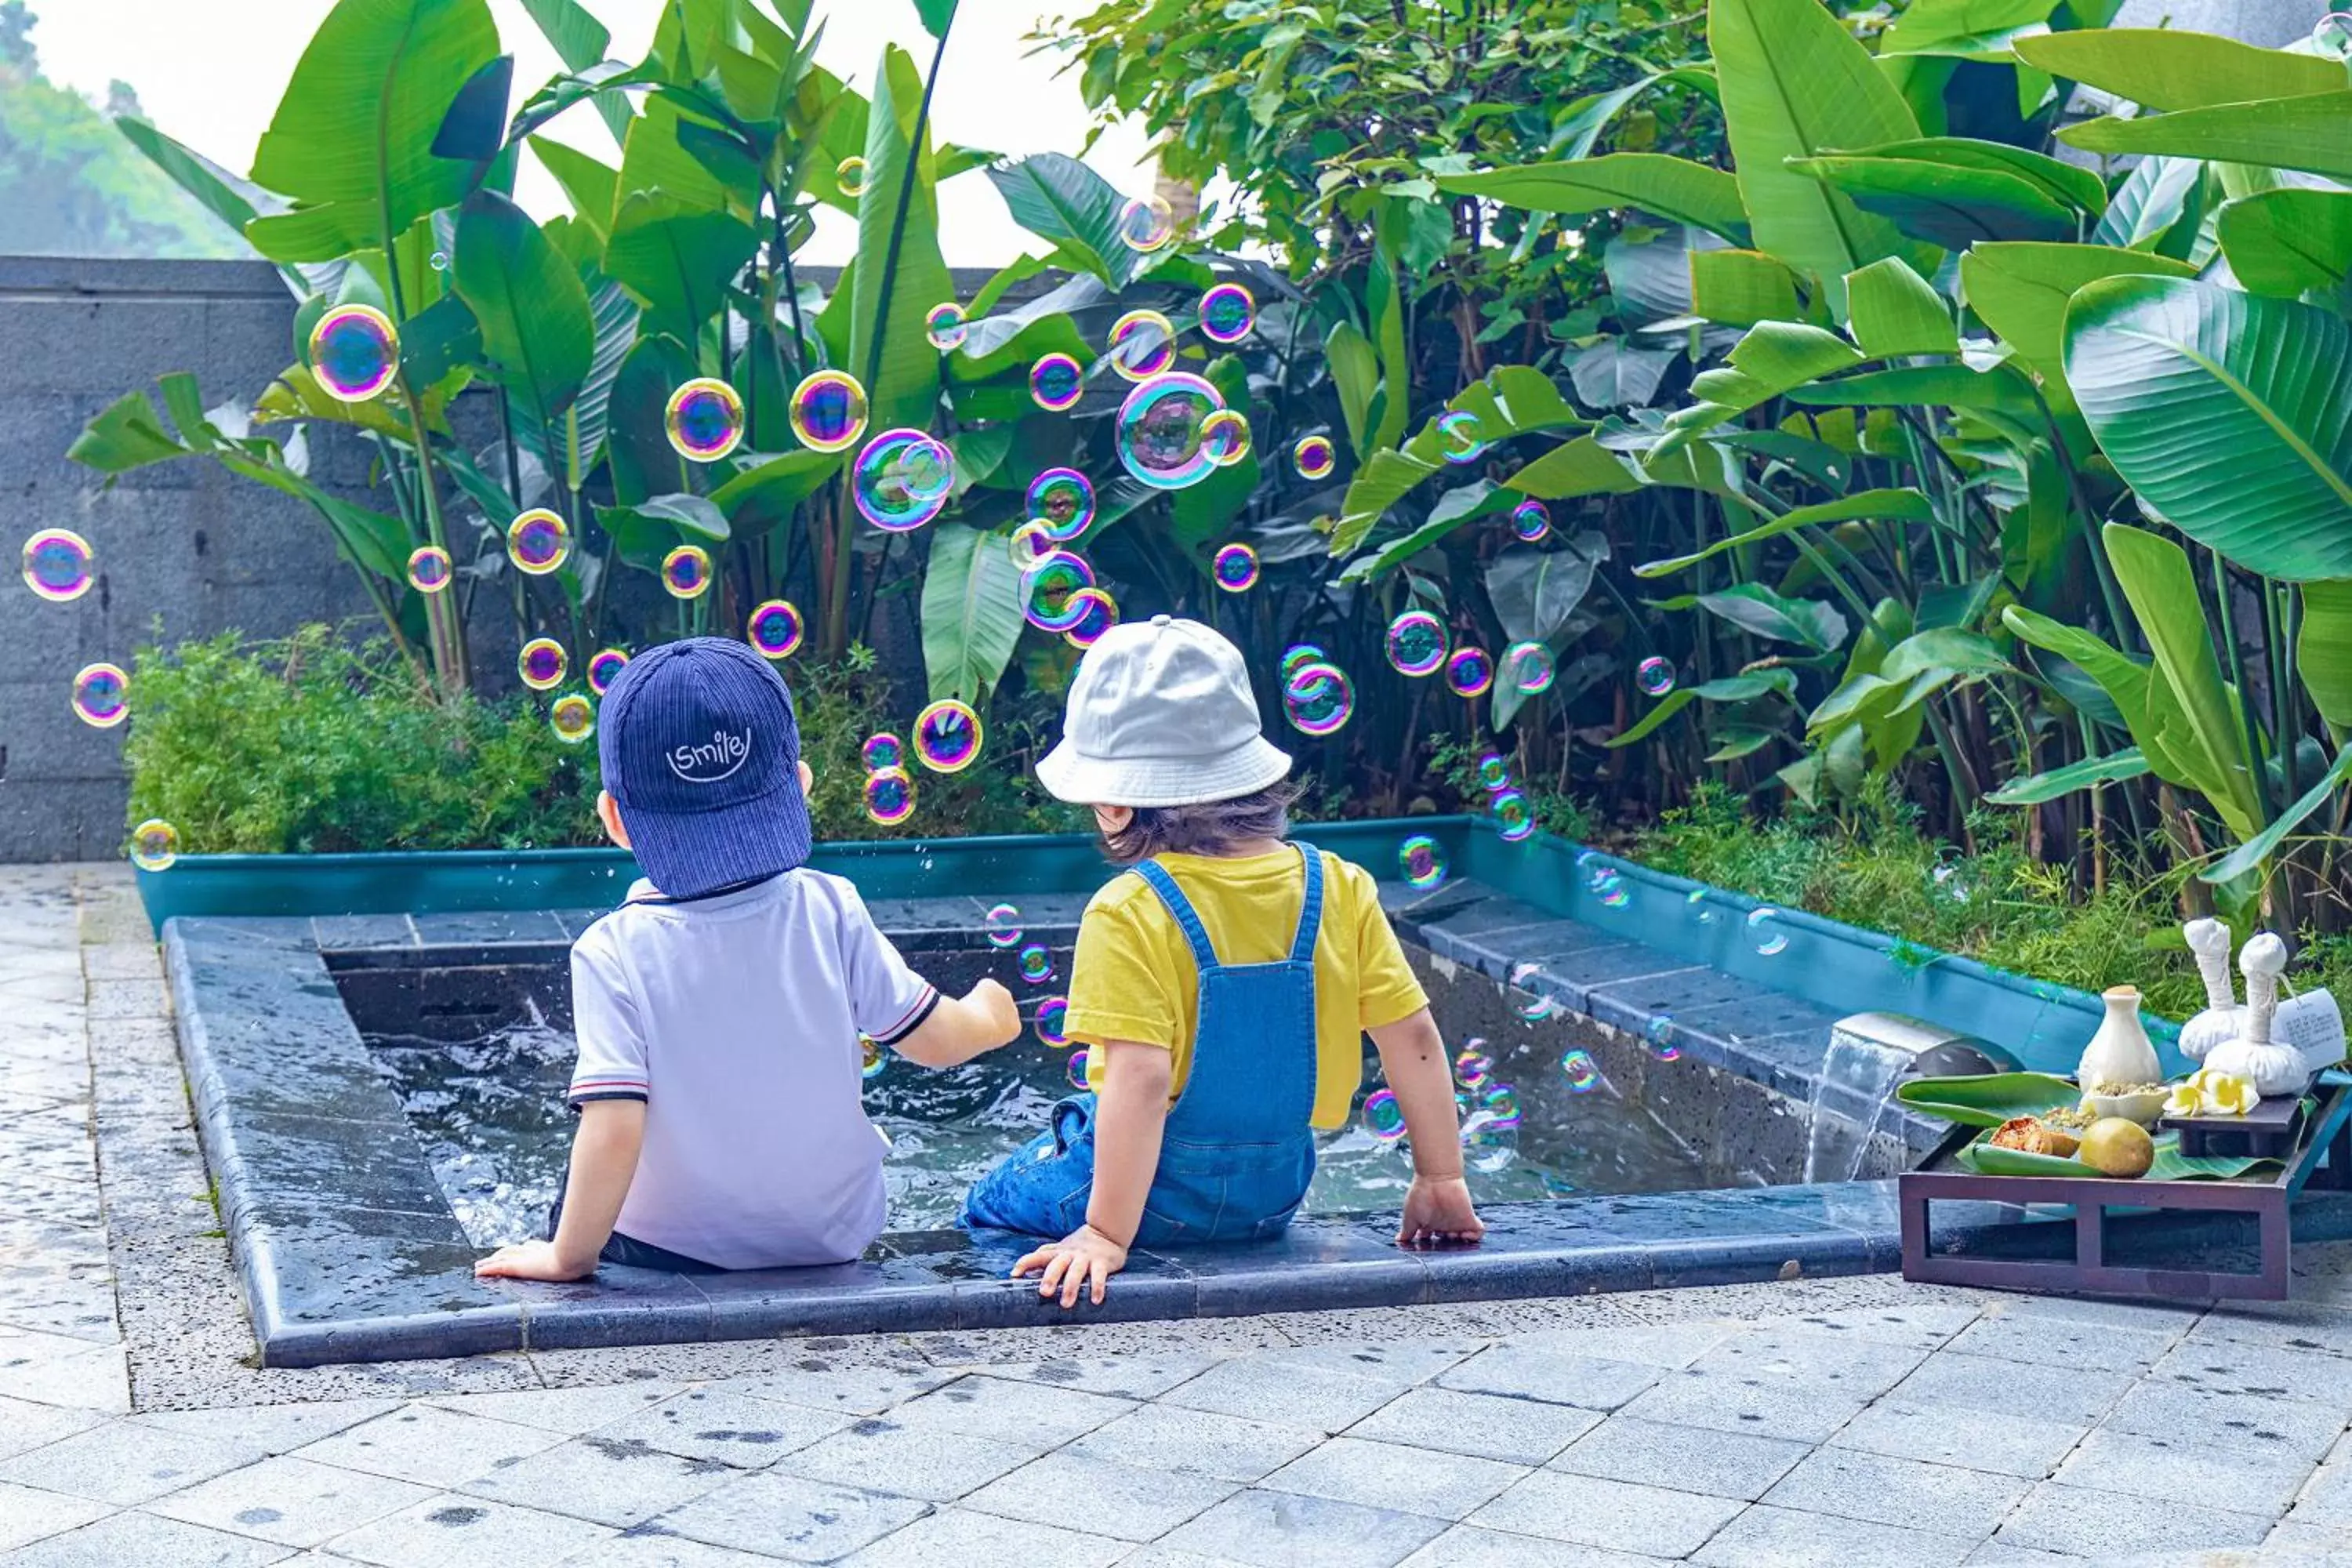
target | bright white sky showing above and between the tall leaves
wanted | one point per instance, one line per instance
(211, 74)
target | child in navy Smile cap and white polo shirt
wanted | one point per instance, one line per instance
(719, 1012)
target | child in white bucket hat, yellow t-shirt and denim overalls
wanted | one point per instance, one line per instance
(1224, 989)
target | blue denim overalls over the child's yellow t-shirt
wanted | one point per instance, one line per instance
(1238, 1153)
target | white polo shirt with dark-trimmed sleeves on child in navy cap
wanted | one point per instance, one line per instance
(737, 1021)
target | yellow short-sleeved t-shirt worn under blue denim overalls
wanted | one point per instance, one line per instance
(1135, 974)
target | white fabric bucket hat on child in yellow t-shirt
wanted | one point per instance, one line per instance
(1161, 716)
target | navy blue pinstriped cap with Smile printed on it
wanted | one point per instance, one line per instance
(702, 753)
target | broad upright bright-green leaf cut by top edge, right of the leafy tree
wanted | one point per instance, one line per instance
(1796, 83)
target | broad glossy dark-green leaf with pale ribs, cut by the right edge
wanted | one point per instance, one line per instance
(2229, 413)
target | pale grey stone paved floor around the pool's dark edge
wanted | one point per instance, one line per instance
(1857, 1423)
